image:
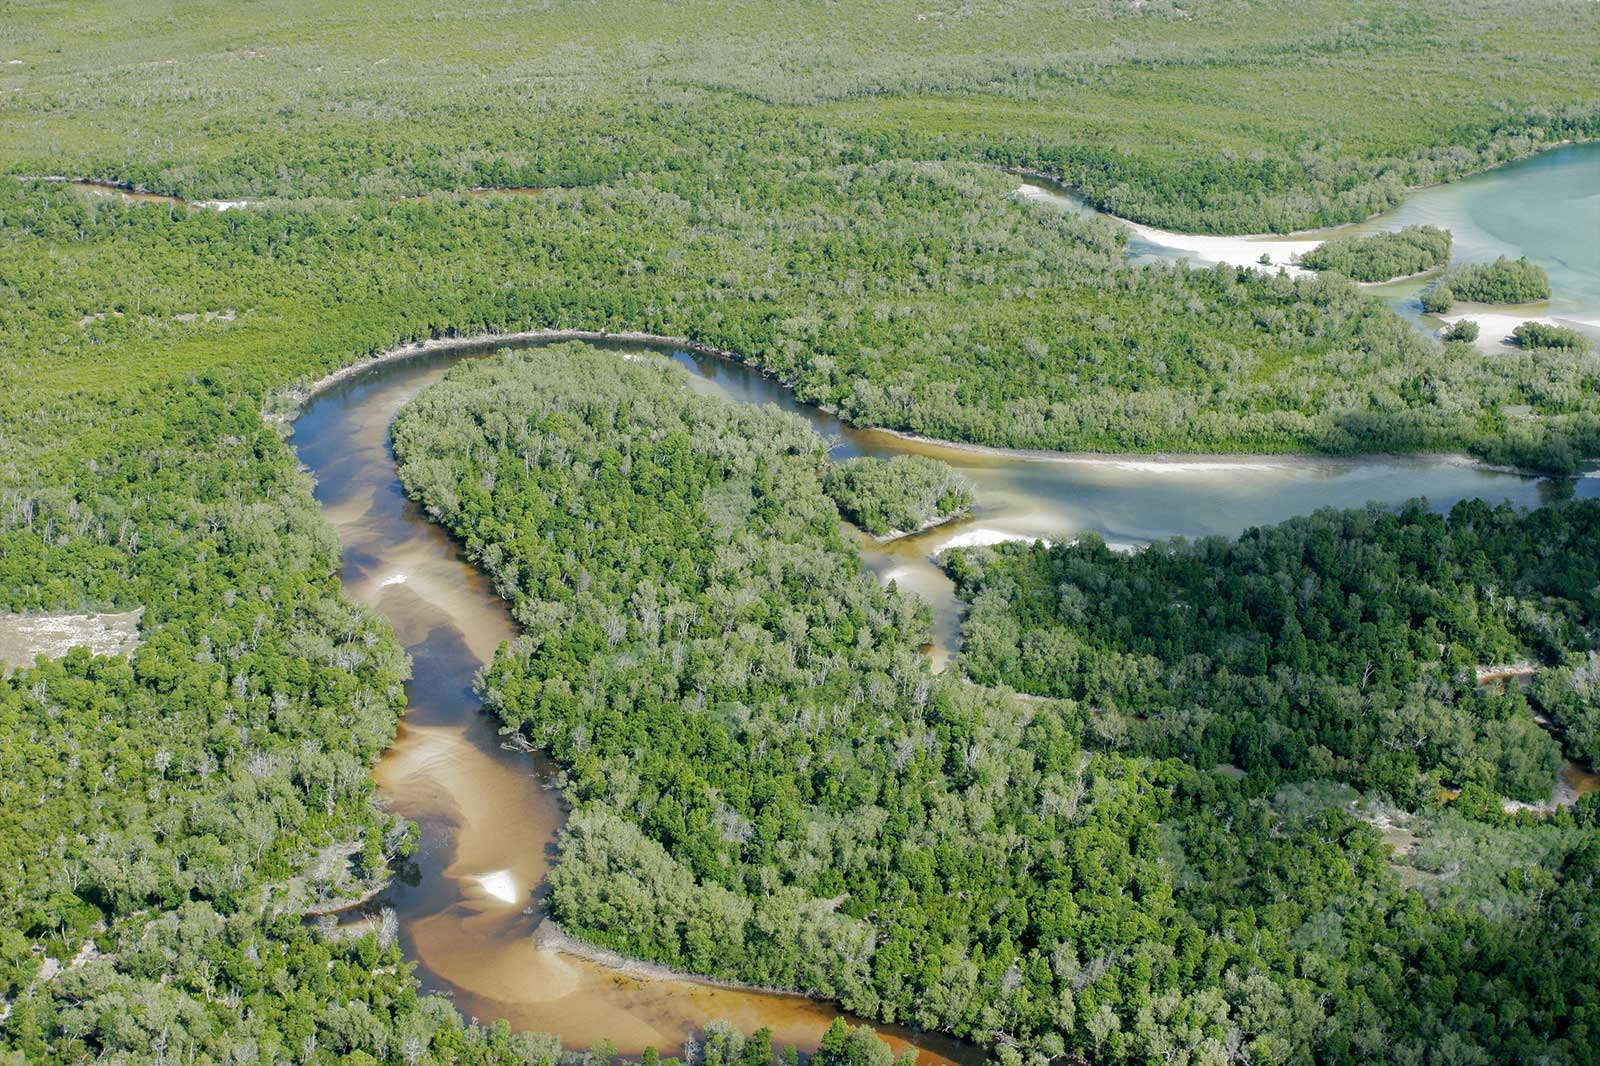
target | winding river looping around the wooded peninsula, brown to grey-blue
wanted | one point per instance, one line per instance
(471, 904)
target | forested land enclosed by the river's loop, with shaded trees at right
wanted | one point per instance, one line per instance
(772, 787)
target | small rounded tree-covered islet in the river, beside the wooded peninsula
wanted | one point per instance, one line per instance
(898, 495)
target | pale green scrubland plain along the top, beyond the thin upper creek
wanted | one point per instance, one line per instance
(1135, 103)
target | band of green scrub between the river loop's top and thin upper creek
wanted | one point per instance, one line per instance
(1034, 334)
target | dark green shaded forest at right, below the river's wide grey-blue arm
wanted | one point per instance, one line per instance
(1327, 646)
